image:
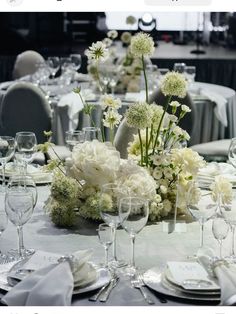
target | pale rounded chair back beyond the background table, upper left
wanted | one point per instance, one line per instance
(26, 63)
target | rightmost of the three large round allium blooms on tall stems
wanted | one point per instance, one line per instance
(174, 84)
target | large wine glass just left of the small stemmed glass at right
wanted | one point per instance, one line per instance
(201, 207)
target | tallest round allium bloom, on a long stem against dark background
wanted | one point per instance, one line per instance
(142, 45)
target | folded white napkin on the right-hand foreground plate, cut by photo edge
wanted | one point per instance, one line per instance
(225, 273)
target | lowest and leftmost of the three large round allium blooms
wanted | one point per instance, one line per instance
(139, 115)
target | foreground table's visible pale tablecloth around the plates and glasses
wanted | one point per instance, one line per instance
(154, 247)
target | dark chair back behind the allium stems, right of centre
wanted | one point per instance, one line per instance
(188, 122)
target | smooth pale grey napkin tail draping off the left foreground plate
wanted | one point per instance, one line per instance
(51, 285)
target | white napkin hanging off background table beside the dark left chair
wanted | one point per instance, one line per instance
(75, 105)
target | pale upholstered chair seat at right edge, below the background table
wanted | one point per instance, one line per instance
(213, 151)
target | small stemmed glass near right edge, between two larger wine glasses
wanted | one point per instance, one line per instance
(220, 230)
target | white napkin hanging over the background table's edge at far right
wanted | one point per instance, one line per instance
(220, 101)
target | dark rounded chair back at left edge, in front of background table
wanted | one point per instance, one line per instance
(25, 108)
